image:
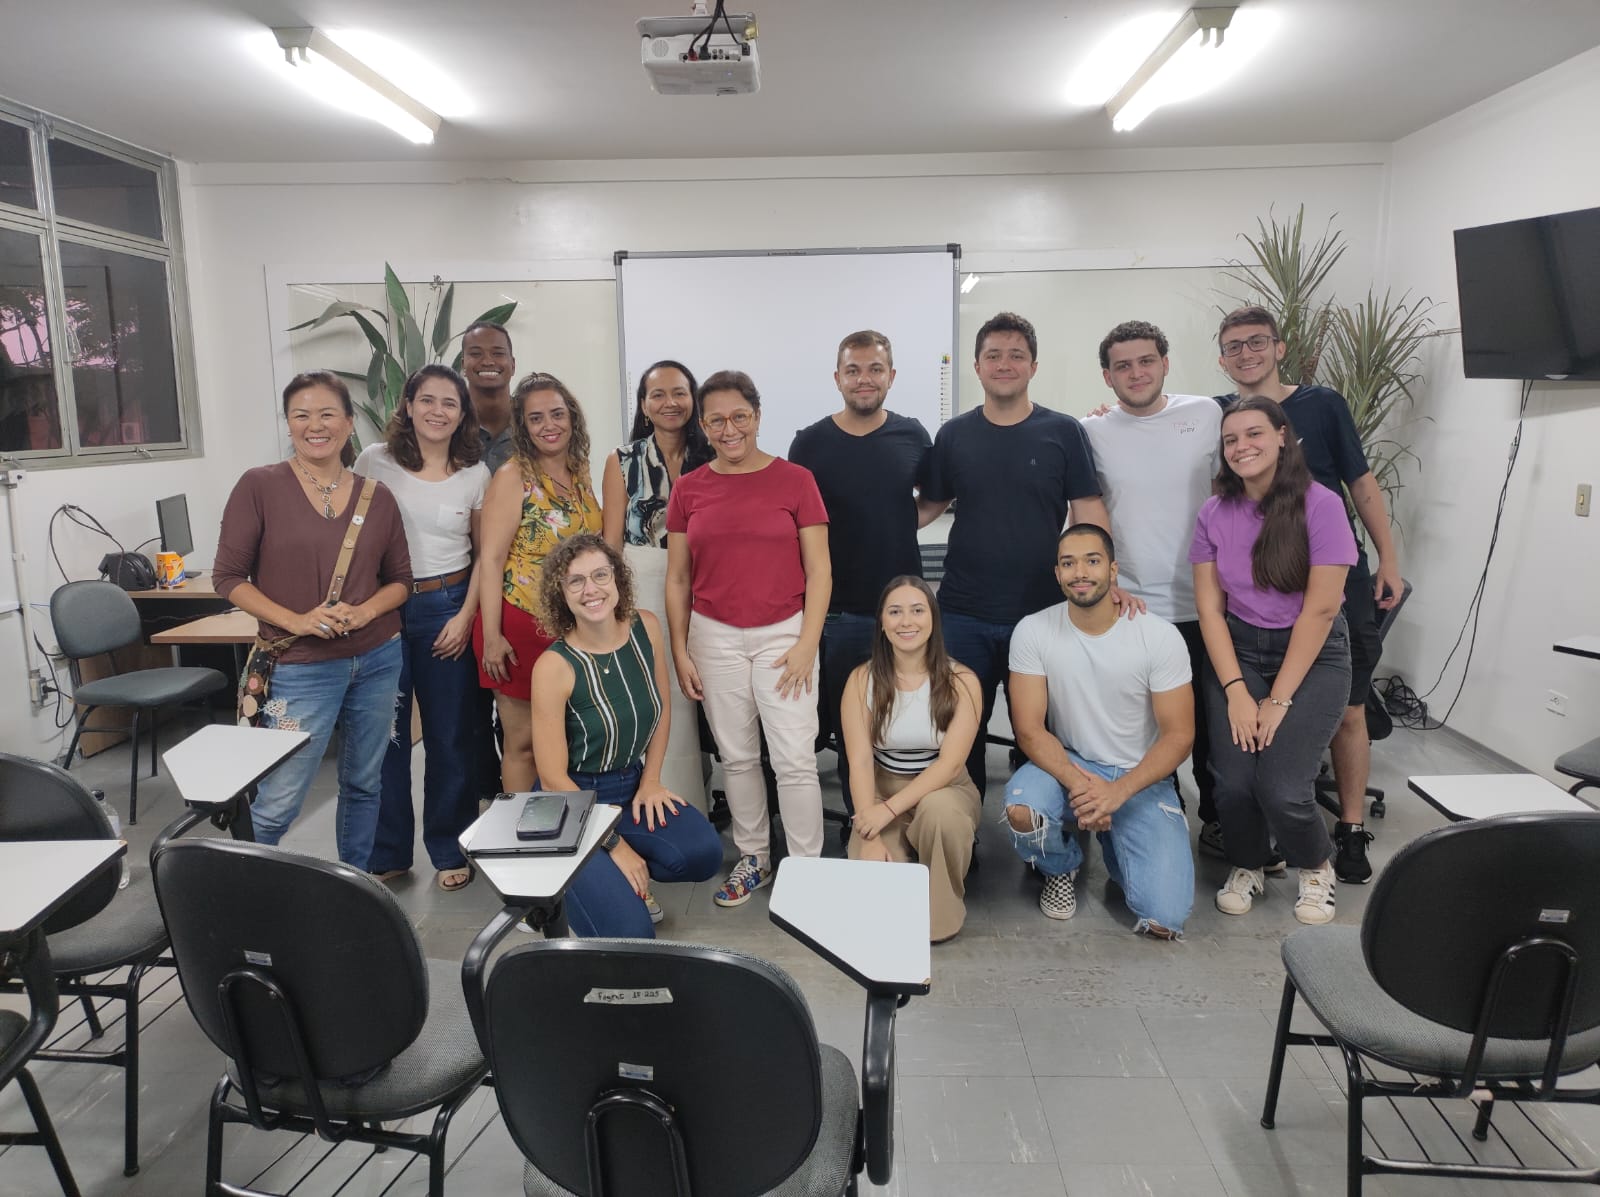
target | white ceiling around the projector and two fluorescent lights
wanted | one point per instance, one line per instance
(561, 79)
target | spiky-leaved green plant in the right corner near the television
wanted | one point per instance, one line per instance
(1369, 353)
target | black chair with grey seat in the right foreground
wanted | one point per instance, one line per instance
(1476, 969)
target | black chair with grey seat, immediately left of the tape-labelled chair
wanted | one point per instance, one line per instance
(308, 975)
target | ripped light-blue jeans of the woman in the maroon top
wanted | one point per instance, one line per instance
(358, 694)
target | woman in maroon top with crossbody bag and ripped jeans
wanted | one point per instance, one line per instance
(282, 532)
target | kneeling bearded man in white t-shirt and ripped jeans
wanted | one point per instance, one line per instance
(1105, 713)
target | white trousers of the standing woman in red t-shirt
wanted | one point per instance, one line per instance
(740, 678)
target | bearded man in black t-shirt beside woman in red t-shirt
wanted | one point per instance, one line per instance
(866, 462)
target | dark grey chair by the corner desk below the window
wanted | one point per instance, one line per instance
(95, 619)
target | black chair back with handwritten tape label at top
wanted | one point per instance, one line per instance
(724, 1041)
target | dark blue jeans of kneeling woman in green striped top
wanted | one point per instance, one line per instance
(686, 849)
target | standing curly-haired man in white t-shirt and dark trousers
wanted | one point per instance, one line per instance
(1156, 457)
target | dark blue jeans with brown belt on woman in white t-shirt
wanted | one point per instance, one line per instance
(449, 692)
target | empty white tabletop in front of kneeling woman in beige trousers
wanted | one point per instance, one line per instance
(868, 918)
